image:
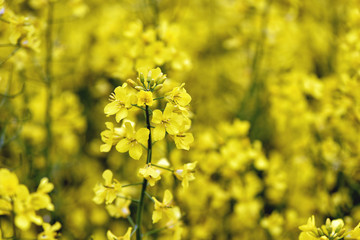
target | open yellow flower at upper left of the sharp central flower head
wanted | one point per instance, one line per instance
(120, 103)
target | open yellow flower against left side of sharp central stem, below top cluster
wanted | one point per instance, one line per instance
(133, 140)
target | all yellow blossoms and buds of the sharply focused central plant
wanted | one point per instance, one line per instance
(127, 100)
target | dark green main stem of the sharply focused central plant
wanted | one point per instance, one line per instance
(144, 185)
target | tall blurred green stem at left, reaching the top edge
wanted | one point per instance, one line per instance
(48, 80)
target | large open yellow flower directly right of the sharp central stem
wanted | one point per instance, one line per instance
(167, 121)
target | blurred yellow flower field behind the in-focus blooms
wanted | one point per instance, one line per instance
(275, 88)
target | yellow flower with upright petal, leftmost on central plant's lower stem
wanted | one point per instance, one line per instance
(108, 191)
